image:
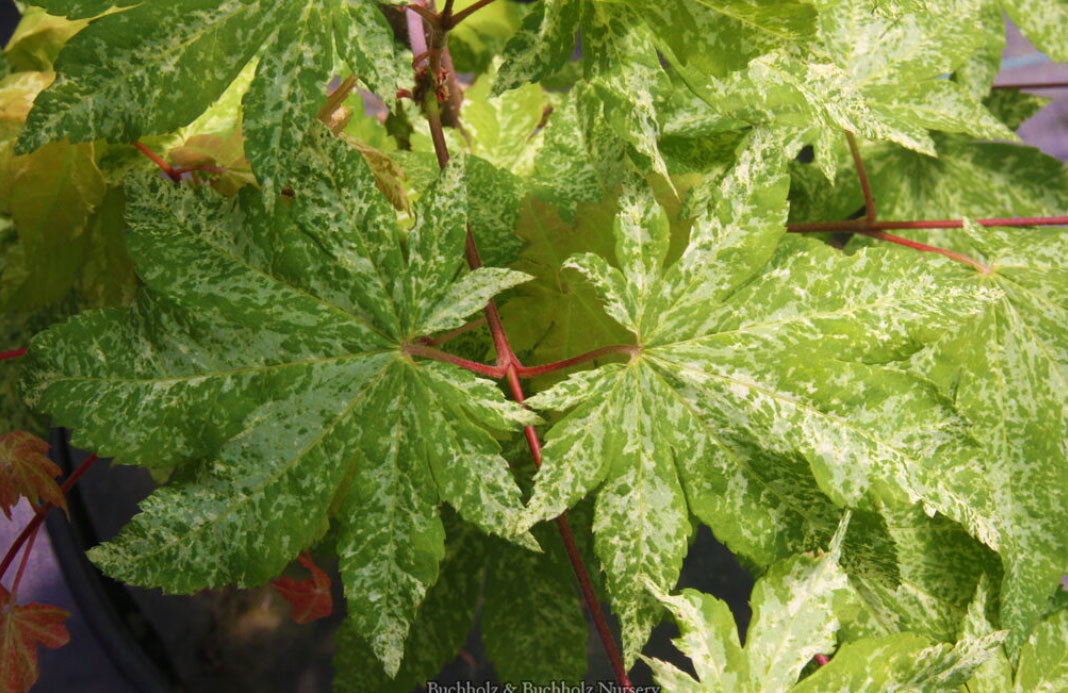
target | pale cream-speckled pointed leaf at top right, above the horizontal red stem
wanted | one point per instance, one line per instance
(869, 74)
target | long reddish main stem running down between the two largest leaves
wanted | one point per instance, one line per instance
(507, 359)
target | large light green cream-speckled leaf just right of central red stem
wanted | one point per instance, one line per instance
(737, 371)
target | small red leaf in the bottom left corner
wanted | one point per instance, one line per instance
(23, 628)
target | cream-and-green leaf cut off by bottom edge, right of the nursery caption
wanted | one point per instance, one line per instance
(794, 620)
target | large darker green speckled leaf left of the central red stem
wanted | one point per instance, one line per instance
(270, 349)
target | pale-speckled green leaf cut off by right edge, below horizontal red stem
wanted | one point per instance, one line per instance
(1008, 371)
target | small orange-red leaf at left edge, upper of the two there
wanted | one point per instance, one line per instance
(26, 471)
